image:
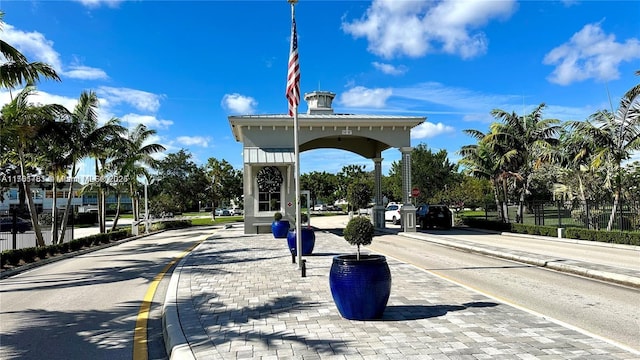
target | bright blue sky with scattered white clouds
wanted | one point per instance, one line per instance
(182, 67)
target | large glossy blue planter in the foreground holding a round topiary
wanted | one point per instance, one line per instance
(360, 288)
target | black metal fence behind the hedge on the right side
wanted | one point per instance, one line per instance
(589, 214)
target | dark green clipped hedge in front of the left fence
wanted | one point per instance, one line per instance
(28, 255)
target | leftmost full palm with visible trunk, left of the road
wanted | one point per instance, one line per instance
(22, 132)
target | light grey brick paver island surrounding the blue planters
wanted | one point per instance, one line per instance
(240, 297)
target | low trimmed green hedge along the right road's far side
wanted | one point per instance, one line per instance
(615, 237)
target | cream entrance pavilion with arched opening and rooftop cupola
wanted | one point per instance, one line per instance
(269, 157)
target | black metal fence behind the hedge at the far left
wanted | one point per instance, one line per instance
(16, 232)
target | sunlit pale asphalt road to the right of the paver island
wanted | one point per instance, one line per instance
(601, 309)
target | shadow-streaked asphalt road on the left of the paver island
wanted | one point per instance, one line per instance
(86, 307)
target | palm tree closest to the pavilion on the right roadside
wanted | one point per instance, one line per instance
(527, 139)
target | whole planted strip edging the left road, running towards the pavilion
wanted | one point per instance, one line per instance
(16, 259)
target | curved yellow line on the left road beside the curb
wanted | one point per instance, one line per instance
(140, 349)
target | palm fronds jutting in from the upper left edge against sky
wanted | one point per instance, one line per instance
(18, 70)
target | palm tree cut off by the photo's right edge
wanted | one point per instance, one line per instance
(616, 136)
